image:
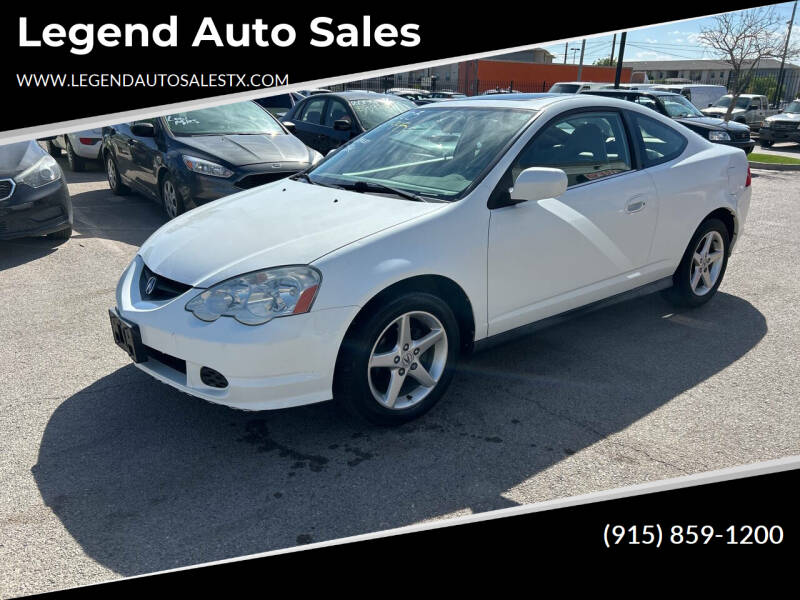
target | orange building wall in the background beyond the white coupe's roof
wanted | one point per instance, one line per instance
(499, 73)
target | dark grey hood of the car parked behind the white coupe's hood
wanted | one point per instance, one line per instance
(241, 150)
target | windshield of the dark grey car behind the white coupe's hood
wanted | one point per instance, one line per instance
(245, 118)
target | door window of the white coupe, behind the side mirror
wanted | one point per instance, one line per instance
(586, 146)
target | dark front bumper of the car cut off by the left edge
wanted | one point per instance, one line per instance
(32, 212)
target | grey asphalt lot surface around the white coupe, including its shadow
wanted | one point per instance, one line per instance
(106, 472)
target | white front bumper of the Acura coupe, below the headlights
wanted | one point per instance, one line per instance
(286, 362)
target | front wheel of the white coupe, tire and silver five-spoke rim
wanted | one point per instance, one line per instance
(399, 361)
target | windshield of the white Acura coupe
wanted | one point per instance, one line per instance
(435, 152)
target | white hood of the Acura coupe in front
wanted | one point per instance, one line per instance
(283, 223)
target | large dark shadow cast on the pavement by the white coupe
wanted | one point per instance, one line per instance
(146, 478)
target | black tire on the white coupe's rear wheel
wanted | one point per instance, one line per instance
(682, 292)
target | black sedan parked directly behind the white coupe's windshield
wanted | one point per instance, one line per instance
(326, 121)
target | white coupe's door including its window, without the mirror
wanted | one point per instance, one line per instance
(560, 253)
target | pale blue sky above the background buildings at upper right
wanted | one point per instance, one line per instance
(674, 41)
